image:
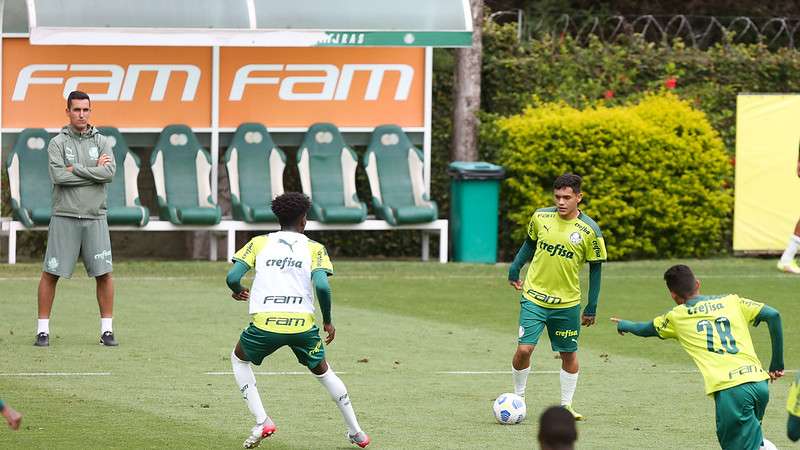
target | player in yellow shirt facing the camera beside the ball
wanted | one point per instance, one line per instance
(560, 240)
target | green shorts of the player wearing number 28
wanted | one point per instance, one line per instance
(739, 413)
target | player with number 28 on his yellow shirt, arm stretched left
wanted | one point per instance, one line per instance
(714, 331)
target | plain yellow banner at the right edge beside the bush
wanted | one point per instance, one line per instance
(767, 182)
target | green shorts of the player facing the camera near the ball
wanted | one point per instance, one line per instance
(563, 325)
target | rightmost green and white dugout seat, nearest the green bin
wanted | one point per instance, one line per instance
(394, 168)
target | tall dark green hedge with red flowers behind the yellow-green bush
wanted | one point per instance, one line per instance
(564, 70)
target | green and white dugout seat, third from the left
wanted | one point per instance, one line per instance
(181, 171)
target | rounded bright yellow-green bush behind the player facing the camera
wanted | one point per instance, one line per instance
(655, 173)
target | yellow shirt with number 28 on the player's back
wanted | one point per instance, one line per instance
(715, 332)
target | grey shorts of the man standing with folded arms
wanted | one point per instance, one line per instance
(69, 237)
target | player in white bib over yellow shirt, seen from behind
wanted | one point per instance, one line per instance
(288, 267)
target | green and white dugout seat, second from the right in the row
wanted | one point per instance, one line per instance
(327, 169)
